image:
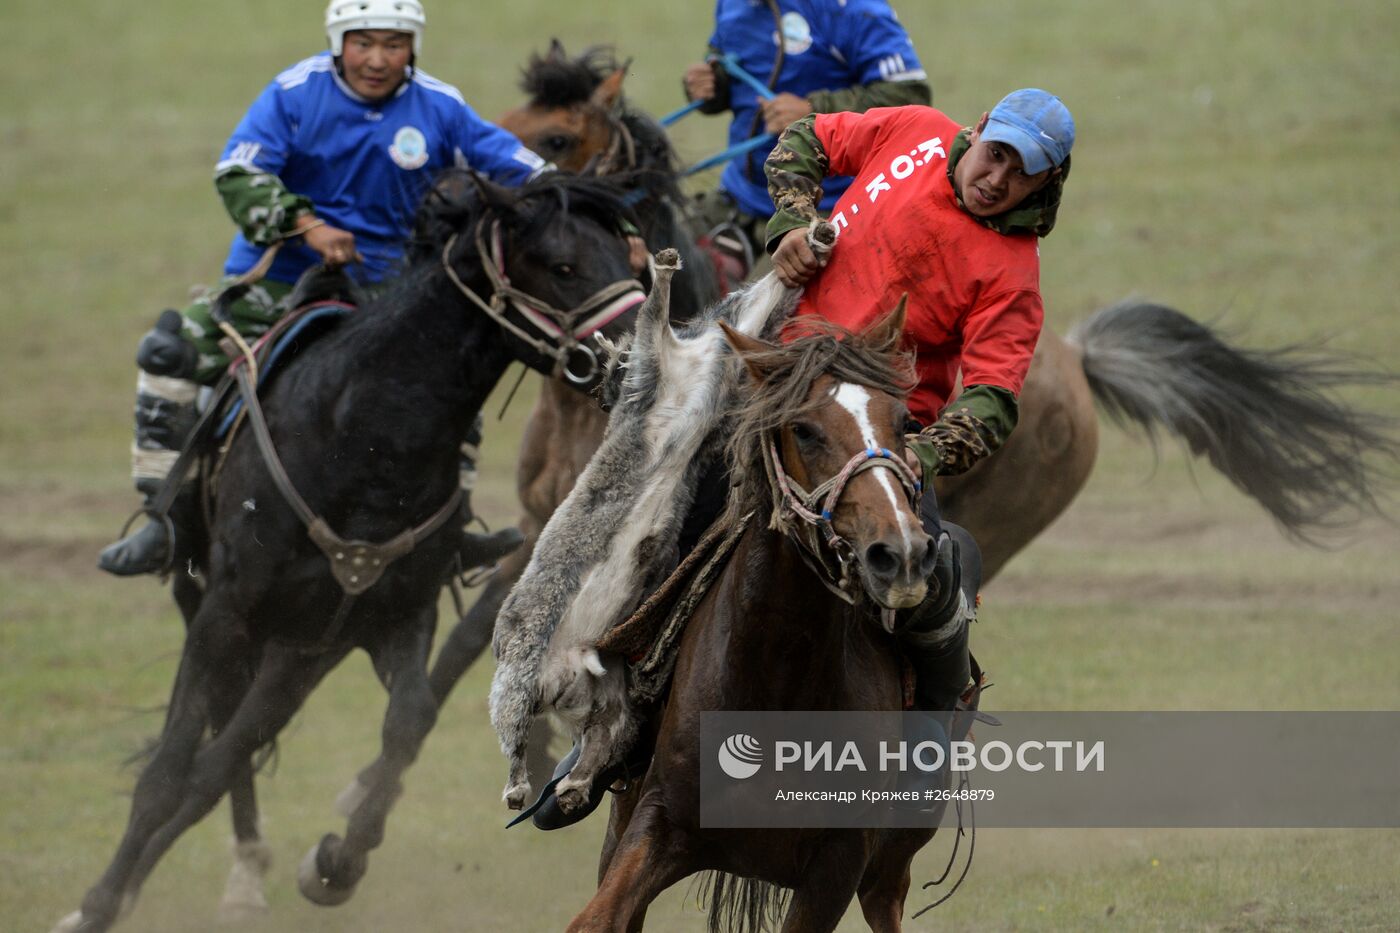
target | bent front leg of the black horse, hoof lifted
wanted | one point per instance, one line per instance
(334, 868)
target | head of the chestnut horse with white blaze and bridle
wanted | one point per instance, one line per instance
(825, 425)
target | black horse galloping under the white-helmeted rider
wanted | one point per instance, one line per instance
(367, 427)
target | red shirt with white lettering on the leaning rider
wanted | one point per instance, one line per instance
(974, 293)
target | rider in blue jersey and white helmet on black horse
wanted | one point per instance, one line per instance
(331, 160)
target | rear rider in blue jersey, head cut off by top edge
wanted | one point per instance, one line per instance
(835, 55)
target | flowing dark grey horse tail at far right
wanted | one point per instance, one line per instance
(1266, 420)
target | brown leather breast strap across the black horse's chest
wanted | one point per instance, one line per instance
(356, 565)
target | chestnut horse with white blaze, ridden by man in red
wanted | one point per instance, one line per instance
(769, 635)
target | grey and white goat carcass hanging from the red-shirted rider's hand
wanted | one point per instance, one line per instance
(615, 537)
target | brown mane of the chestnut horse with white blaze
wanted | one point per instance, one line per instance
(782, 396)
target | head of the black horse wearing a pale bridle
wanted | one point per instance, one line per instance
(547, 261)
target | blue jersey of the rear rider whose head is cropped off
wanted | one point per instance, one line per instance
(829, 46)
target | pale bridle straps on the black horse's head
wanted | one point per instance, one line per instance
(563, 331)
